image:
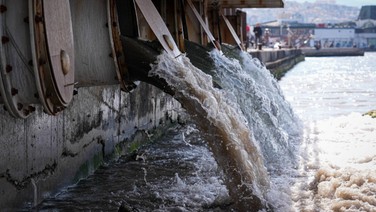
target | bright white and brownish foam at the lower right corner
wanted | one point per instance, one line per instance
(343, 150)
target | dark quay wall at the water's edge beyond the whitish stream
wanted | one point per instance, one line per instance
(279, 61)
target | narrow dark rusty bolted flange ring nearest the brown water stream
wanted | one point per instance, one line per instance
(117, 49)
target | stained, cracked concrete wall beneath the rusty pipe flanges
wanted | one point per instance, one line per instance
(43, 153)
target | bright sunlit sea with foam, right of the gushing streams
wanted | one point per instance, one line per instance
(337, 170)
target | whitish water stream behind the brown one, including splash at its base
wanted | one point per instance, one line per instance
(270, 117)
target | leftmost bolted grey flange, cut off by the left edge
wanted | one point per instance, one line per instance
(17, 86)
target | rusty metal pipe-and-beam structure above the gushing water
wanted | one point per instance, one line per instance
(50, 47)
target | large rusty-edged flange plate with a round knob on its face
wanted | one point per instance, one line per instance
(53, 52)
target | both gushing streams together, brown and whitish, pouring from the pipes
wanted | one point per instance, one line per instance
(248, 103)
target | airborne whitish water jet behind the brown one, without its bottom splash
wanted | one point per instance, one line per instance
(269, 115)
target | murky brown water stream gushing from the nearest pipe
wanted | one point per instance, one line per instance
(223, 124)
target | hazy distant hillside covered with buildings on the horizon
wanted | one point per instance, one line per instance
(304, 12)
